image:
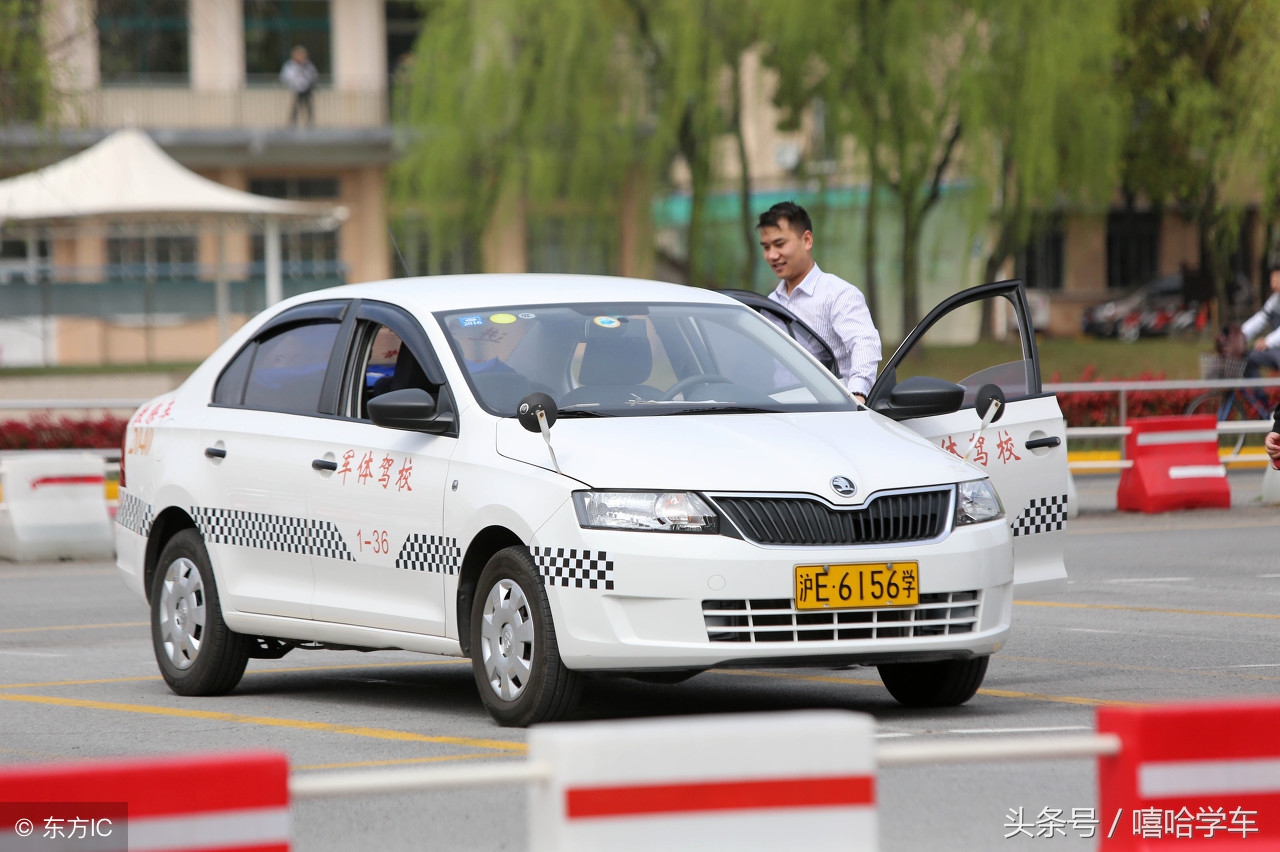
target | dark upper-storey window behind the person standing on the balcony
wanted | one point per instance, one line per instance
(275, 28)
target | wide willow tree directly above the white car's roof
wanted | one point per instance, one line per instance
(557, 102)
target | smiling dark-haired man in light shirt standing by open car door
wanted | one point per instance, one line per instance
(831, 306)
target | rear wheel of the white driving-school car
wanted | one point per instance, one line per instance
(196, 652)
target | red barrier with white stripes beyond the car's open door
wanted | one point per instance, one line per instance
(1176, 466)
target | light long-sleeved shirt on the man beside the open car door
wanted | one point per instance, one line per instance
(838, 313)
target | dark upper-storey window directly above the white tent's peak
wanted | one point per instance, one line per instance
(143, 42)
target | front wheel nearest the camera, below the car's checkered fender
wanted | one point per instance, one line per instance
(515, 657)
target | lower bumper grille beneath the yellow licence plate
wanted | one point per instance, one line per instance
(779, 621)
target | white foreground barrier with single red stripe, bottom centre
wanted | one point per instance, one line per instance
(783, 781)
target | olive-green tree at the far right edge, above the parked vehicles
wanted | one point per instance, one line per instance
(1201, 75)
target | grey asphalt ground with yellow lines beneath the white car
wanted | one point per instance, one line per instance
(1159, 608)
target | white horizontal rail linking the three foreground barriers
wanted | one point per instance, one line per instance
(888, 757)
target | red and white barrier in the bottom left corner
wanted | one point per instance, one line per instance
(237, 803)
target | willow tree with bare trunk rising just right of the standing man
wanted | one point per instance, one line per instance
(892, 75)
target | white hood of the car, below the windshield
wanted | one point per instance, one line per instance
(779, 454)
